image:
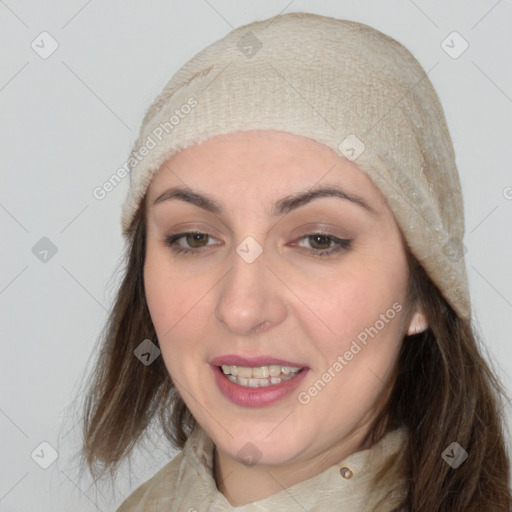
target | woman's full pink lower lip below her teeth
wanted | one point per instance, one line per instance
(256, 397)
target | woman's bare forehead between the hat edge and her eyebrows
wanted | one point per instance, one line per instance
(261, 163)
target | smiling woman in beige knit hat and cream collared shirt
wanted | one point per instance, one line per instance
(295, 307)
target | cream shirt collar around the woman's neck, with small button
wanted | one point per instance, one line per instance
(348, 483)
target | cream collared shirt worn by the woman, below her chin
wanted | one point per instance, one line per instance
(187, 483)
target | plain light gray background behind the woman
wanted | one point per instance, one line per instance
(69, 121)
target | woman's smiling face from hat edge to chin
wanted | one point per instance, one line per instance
(277, 276)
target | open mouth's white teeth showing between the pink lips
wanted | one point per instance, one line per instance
(259, 376)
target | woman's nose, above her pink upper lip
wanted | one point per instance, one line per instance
(251, 299)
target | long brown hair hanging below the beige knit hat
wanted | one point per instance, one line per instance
(444, 391)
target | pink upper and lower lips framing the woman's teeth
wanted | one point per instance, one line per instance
(255, 397)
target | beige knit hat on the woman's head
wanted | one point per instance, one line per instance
(343, 84)
